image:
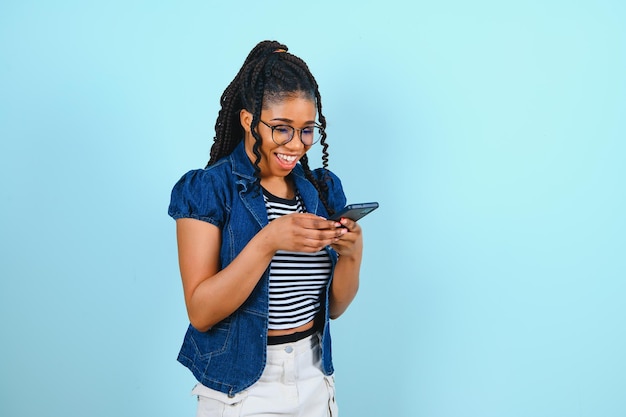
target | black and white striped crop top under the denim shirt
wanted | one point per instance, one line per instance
(297, 279)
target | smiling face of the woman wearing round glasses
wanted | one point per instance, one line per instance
(297, 111)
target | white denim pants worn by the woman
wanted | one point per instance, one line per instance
(292, 384)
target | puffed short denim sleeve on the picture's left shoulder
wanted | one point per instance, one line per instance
(196, 196)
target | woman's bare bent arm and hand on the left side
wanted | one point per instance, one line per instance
(212, 294)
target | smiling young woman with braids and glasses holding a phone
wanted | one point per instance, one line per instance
(263, 268)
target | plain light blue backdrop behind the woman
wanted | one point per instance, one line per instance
(491, 133)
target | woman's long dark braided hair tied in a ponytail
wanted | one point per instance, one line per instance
(269, 73)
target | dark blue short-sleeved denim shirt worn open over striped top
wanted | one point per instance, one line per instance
(231, 355)
